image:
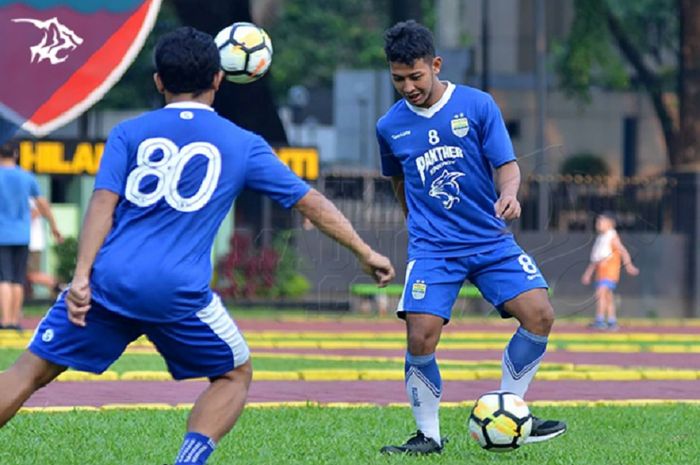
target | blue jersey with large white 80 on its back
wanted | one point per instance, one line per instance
(177, 171)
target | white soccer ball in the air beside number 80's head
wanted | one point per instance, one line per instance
(246, 52)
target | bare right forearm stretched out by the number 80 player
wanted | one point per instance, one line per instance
(329, 220)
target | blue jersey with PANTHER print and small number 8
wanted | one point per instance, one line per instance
(446, 154)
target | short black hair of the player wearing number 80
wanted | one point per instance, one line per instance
(187, 60)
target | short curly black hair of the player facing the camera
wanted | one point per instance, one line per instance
(408, 41)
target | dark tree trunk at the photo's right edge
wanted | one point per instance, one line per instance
(689, 89)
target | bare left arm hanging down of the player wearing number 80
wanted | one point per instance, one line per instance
(97, 224)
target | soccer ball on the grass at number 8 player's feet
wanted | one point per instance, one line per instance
(500, 421)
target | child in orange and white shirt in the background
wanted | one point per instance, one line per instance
(607, 256)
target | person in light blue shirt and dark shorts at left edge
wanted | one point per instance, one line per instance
(17, 187)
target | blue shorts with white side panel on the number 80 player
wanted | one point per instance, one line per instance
(205, 344)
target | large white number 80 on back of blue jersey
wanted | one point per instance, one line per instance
(168, 171)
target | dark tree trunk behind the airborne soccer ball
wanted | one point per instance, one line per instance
(249, 105)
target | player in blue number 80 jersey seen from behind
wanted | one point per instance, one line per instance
(166, 181)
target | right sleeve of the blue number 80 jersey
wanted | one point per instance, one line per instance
(266, 174)
